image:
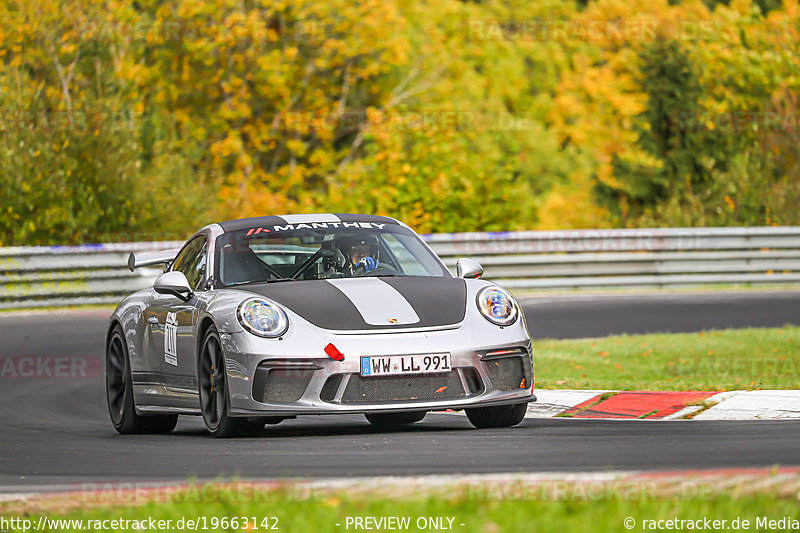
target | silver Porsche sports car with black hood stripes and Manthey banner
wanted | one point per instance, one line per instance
(258, 320)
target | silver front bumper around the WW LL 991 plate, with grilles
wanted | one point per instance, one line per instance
(301, 380)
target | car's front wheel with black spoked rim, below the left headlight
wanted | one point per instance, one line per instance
(213, 388)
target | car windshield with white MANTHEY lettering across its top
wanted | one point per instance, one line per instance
(322, 251)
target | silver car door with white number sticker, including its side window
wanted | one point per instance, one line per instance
(172, 324)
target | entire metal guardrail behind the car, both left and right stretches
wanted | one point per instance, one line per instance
(528, 260)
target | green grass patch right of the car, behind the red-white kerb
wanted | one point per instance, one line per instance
(714, 360)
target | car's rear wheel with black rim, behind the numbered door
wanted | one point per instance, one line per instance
(119, 393)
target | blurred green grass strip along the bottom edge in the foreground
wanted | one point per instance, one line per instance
(476, 514)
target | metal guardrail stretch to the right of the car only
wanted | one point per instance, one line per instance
(630, 258)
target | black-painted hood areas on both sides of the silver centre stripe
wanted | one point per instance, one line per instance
(437, 301)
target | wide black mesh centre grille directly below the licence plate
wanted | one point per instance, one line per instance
(399, 388)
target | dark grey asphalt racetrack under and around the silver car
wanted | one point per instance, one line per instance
(56, 431)
